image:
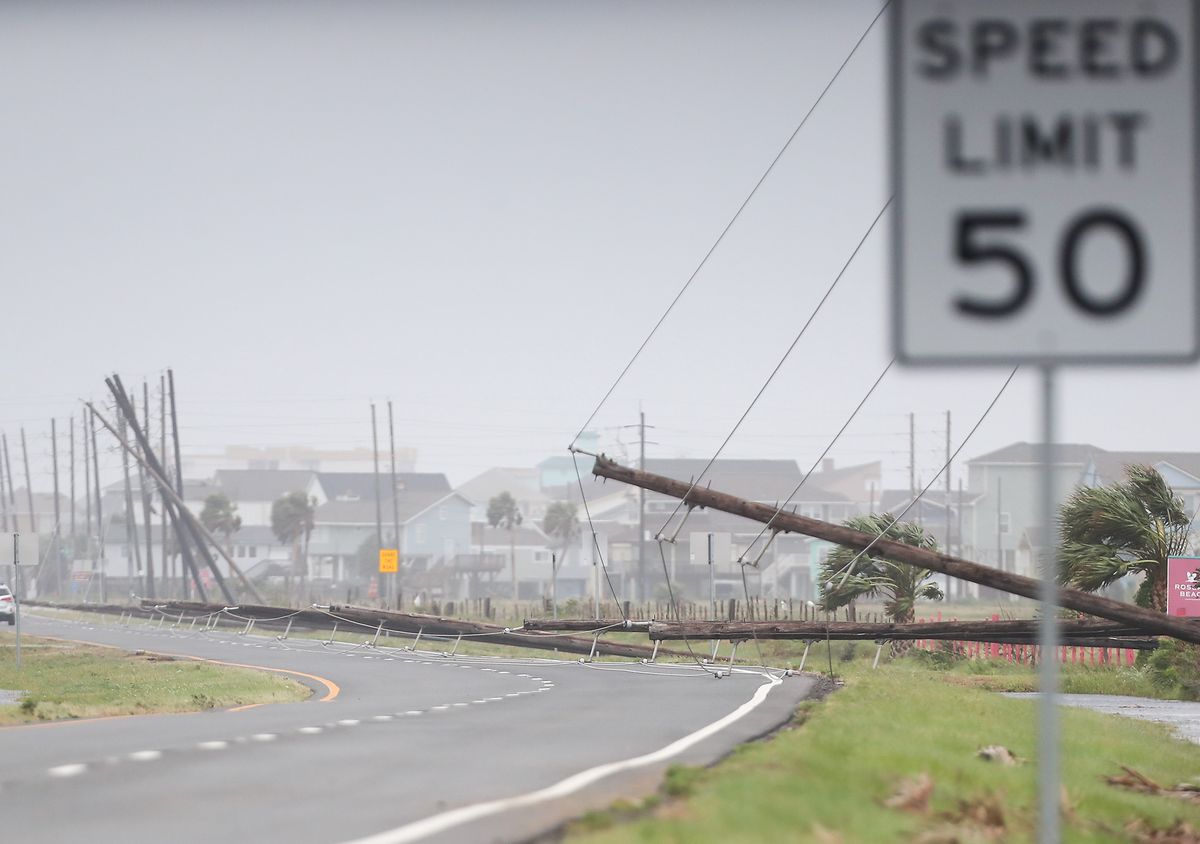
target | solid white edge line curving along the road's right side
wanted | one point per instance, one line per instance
(447, 821)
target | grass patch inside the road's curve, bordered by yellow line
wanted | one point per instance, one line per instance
(64, 680)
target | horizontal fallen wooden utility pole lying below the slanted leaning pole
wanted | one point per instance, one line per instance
(1023, 632)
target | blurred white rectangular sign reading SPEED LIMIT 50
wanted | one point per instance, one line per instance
(1045, 158)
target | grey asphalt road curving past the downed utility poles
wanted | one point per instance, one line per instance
(393, 746)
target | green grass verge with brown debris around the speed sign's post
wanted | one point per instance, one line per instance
(827, 781)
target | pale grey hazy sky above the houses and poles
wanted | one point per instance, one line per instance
(478, 211)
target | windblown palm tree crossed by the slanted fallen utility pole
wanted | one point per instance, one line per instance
(899, 584)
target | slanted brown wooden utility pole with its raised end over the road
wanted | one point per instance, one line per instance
(1006, 582)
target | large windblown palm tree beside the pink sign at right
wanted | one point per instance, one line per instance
(1129, 528)
